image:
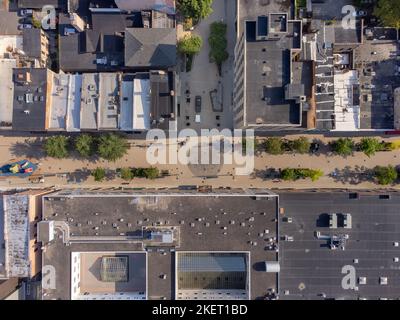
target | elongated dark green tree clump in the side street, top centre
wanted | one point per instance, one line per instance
(218, 44)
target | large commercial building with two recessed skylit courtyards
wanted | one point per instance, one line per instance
(155, 245)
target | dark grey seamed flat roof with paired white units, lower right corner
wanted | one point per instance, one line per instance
(311, 270)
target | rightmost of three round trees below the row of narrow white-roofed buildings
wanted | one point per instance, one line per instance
(112, 146)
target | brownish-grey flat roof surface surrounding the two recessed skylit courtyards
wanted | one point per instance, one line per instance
(216, 222)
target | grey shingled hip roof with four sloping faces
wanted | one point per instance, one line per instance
(150, 47)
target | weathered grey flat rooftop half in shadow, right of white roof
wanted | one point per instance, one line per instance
(378, 65)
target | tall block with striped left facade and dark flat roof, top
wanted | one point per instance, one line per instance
(271, 86)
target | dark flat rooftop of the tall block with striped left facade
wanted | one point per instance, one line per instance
(268, 72)
